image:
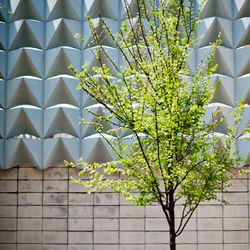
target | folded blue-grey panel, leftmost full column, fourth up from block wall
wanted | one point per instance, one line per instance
(21, 63)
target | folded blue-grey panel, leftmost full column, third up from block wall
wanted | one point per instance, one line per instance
(24, 91)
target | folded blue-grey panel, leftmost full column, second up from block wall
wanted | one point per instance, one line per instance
(23, 121)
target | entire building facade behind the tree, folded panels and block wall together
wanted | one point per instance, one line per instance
(39, 108)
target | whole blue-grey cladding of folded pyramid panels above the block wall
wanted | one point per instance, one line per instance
(39, 102)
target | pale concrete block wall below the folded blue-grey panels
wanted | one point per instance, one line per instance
(42, 209)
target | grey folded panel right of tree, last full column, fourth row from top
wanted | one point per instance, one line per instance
(225, 90)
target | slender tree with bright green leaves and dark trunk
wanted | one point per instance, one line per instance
(171, 155)
